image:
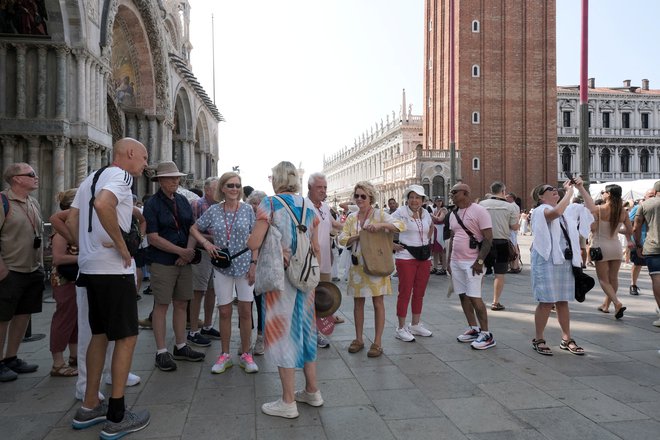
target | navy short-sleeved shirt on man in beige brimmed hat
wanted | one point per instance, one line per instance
(172, 220)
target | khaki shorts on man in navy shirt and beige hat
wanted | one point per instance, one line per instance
(171, 283)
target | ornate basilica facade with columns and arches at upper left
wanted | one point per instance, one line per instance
(76, 76)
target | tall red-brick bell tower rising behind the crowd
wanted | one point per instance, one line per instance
(505, 91)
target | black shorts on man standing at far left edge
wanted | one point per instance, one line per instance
(21, 294)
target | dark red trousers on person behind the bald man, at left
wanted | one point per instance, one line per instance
(64, 325)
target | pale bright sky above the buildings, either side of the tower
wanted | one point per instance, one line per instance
(297, 79)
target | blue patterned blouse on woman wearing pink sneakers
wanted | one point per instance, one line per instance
(231, 230)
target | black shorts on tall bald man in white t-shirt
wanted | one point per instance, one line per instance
(112, 304)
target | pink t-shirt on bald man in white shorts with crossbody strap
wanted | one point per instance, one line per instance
(475, 218)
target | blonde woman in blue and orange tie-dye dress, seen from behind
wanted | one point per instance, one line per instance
(290, 326)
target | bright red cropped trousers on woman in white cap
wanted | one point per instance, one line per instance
(413, 278)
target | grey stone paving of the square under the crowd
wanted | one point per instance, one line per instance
(435, 388)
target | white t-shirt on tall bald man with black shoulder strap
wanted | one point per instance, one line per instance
(93, 257)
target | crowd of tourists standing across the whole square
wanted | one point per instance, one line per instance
(205, 254)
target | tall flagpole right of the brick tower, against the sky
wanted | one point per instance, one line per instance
(584, 95)
